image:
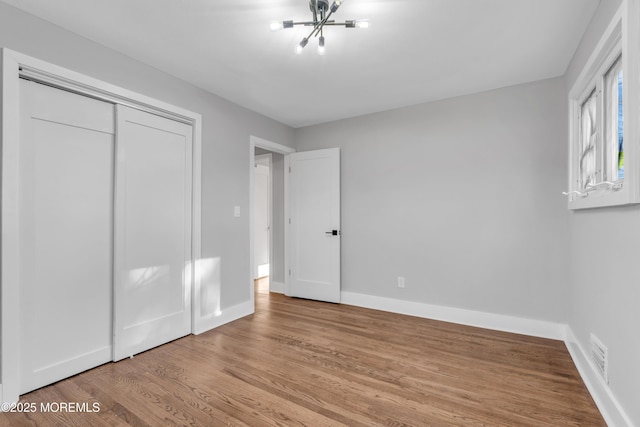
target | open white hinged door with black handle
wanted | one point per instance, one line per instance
(314, 226)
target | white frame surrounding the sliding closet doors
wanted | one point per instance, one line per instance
(13, 66)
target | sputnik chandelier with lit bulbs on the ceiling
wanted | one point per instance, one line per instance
(321, 13)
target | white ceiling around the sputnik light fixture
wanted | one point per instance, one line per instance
(415, 50)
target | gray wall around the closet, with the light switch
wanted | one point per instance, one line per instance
(225, 139)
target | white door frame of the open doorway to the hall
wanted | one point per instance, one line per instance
(274, 147)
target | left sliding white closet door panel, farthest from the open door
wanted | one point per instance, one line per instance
(66, 226)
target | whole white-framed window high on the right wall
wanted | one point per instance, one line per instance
(602, 168)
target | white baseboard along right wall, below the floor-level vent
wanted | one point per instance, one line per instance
(606, 402)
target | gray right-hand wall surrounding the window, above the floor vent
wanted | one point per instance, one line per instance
(605, 271)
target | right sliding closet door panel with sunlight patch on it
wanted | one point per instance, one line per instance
(152, 231)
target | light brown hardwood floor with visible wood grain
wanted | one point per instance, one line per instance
(299, 362)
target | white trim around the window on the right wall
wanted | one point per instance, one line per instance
(621, 33)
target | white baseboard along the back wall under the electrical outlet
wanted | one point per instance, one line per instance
(518, 325)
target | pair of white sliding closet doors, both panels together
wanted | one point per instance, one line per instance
(104, 199)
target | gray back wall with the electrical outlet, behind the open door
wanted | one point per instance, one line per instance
(462, 197)
